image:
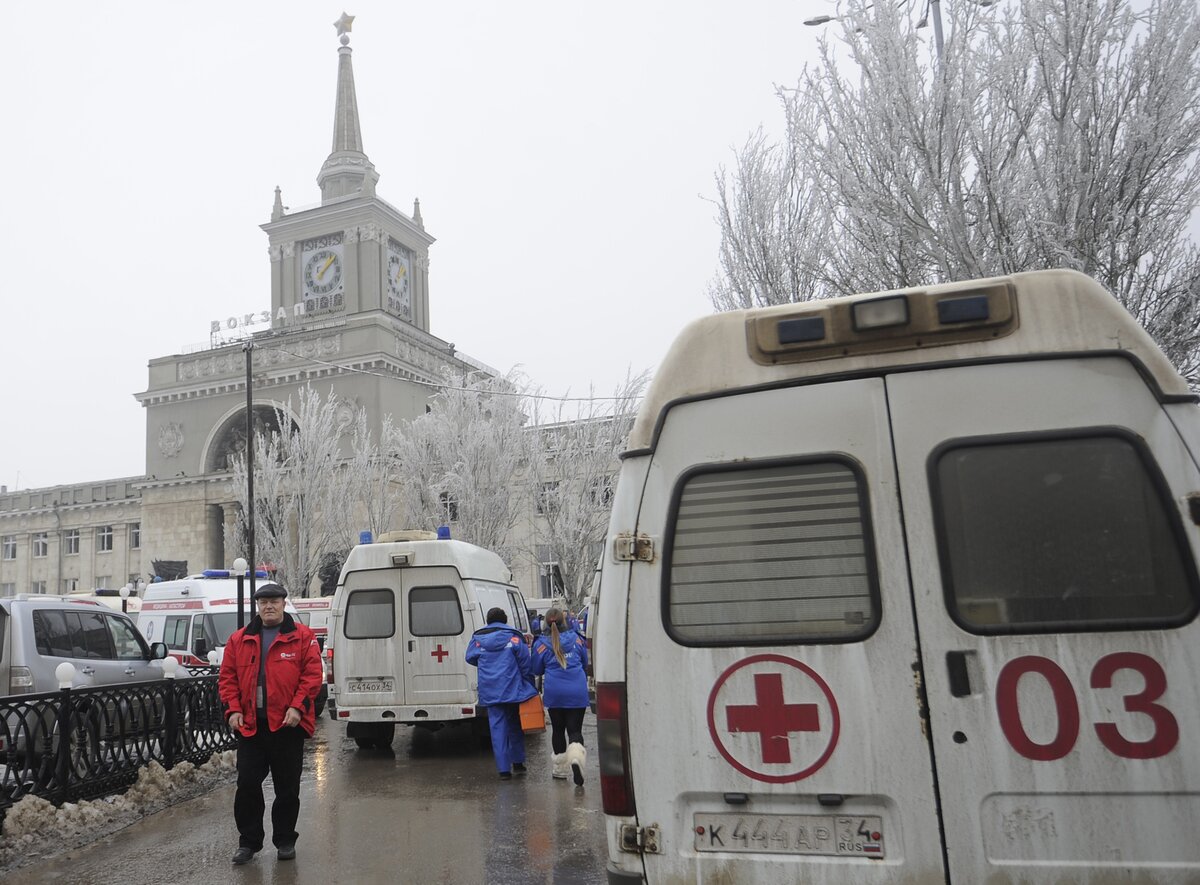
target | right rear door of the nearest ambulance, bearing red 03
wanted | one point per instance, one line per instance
(1053, 563)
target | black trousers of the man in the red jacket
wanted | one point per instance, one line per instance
(281, 755)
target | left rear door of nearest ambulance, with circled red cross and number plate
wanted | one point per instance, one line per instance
(775, 715)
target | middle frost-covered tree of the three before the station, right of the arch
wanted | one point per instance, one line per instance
(458, 462)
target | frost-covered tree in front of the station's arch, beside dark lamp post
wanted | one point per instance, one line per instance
(305, 491)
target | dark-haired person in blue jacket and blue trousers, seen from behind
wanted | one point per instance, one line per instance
(502, 658)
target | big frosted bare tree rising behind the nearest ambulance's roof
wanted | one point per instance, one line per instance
(1052, 134)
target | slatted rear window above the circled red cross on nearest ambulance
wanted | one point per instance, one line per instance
(771, 555)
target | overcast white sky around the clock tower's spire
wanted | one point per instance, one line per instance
(563, 154)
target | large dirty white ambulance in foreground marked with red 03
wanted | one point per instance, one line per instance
(903, 589)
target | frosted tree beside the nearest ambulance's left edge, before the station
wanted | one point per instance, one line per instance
(572, 477)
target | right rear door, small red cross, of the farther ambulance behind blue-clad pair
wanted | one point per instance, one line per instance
(435, 635)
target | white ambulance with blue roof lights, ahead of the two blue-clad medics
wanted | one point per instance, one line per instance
(404, 612)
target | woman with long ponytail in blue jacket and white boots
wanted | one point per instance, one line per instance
(561, 659)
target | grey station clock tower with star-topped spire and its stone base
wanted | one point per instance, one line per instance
(350, 314)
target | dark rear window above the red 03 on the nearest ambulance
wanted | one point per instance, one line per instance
(1053, 534)
